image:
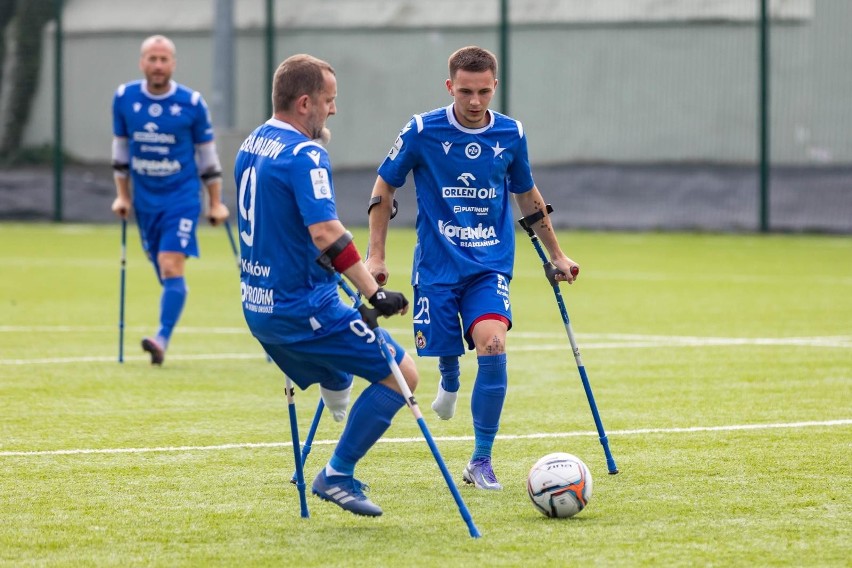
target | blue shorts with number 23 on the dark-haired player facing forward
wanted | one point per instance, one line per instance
(438, 330)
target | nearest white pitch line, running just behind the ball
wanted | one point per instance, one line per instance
(250, 445)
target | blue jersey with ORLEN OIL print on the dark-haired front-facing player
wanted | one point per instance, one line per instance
(462, 178)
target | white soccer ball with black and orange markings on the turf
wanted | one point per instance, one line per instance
(560, 485)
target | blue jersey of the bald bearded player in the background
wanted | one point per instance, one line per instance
(162, 131)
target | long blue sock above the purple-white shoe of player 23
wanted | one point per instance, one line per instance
(486, 405)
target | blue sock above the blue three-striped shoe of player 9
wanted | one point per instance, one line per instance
(369, 419)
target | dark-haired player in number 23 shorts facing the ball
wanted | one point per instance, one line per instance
(467, 160)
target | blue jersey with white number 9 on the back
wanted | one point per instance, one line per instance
(284, 186)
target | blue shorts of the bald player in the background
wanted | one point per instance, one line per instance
(172, 230)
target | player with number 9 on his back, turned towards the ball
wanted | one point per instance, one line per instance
(293, 248)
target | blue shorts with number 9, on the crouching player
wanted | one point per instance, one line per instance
(334, 357)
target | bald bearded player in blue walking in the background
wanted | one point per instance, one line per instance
(163, 148)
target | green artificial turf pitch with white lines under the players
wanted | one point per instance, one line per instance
(721, 365)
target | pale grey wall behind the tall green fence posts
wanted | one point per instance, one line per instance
(621, 81)
